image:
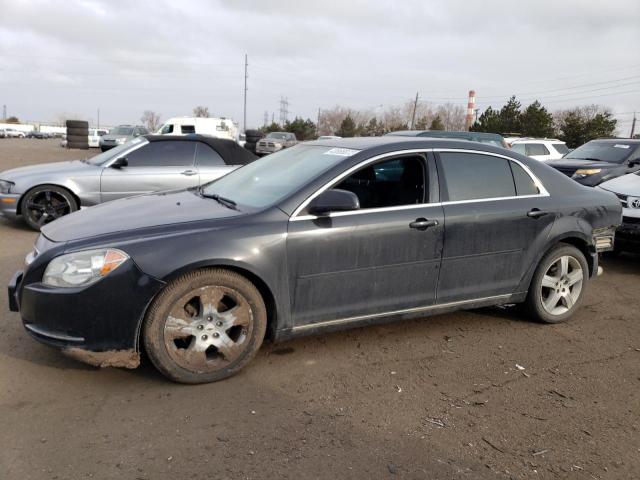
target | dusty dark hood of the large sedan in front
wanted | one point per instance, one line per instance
(135, 213)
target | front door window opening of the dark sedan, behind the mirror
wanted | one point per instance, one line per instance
(389, 183)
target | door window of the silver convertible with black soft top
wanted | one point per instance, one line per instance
(163, 154)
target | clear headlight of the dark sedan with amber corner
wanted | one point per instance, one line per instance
(80, 269)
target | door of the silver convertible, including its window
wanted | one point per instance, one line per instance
(158, 165)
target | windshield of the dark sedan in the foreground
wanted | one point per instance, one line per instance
(270, 179)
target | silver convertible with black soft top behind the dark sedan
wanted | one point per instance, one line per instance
(42, 193)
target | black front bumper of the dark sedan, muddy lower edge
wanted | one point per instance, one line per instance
(101, 319)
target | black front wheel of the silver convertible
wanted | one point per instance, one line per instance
(46, 203)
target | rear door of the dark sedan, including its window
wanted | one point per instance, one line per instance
(497, 217)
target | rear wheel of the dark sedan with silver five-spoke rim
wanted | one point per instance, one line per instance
(558, 285)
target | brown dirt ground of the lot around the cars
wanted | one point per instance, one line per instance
(477, 395)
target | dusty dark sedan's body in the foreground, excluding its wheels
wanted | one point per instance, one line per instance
(390, 258)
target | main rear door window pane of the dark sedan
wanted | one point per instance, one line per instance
(472, 176)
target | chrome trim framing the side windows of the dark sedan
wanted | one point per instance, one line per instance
(296, 217)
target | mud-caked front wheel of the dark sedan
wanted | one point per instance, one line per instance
(205, 326)
